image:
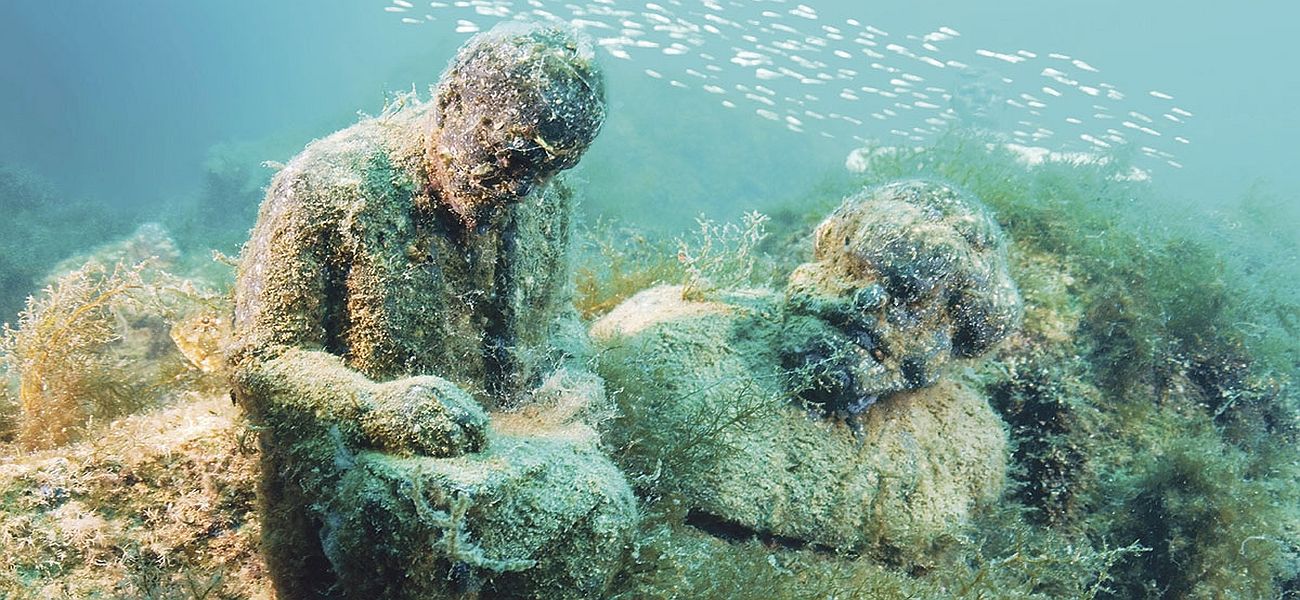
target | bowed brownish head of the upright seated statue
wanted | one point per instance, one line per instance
(518, 105)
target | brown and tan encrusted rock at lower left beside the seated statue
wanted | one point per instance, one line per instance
(158, 506)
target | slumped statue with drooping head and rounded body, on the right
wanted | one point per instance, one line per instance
(822, 416)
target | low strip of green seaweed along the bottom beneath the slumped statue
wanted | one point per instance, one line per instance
(1009, 560)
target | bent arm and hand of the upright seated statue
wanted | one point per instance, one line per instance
(283, 369)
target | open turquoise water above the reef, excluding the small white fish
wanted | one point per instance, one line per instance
(123, 106)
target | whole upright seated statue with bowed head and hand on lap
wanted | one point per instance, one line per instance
(408, 350)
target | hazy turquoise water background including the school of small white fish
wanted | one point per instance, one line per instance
(717, 107)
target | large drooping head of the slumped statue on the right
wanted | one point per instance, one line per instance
(905, 279)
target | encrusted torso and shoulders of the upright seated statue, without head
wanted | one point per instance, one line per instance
(408, 288)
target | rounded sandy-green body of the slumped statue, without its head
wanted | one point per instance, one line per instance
(708, 406)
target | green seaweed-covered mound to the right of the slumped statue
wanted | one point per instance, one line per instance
(1146, 341)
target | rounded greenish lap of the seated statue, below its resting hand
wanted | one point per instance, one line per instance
(541, 515)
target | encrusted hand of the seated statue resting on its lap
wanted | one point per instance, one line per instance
(424, 416)
